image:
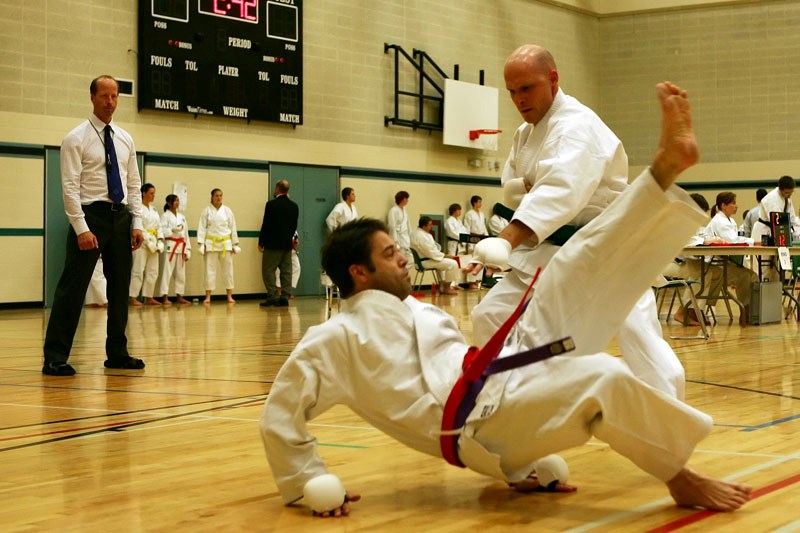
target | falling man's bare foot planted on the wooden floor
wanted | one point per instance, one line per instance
(690, 489)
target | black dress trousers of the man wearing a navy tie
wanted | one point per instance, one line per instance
(112, 227)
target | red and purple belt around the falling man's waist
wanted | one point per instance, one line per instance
(478, 365)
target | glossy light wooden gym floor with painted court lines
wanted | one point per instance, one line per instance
(176, 447)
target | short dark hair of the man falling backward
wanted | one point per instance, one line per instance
(350, 244)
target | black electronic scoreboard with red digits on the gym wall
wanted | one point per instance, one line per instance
(232, 58)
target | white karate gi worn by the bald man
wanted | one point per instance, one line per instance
(576, 167)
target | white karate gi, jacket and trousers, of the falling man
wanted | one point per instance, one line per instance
(520, 415)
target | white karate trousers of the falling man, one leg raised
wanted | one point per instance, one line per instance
(587, 292)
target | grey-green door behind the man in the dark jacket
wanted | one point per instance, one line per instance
(316, 191)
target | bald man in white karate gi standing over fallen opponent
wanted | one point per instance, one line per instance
(565, 167)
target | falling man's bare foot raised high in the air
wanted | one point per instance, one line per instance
(677, 149)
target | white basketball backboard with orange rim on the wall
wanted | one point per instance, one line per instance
(469, 107)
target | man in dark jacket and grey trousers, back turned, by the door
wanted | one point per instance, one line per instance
(275, 243)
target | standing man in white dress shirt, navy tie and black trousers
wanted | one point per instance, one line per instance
(104, 218)
